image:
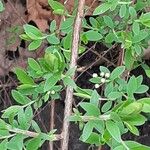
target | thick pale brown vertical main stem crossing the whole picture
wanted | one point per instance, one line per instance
(73, 63)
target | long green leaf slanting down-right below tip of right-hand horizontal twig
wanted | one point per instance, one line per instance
(113, 130)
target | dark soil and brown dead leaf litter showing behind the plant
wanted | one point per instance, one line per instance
(15, 54)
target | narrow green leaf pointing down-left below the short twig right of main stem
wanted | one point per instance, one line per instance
(87, 131)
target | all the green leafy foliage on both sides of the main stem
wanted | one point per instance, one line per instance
(113, 21)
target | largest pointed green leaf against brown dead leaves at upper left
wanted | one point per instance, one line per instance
(33, 32)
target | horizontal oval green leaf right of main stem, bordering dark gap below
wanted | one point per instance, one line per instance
(92, 35)
